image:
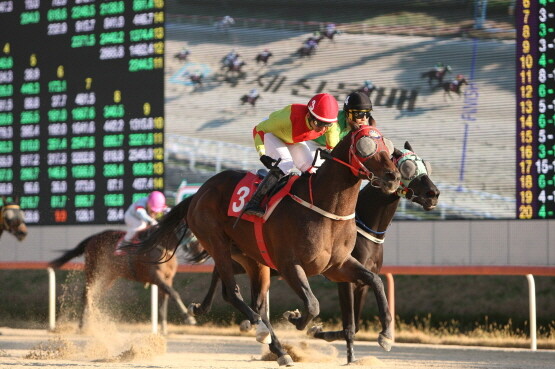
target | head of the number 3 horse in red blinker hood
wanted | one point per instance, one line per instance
(370, 158)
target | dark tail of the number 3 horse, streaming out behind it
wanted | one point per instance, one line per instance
(164, 234)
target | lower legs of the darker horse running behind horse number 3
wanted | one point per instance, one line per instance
(346, 302)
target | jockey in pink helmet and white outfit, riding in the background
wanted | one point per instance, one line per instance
(141, 214)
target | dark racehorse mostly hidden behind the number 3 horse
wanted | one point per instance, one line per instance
(375, 212)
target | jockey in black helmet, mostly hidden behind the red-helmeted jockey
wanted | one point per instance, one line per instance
(357, 112)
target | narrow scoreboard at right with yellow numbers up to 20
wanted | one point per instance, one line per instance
(535, 140)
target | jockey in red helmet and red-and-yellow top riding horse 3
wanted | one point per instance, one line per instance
(283, 135)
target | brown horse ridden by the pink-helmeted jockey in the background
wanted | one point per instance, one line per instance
(102, 268)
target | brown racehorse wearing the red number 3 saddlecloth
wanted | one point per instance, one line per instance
(310, 232)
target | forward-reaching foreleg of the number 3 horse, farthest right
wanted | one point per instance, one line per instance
(354, 272)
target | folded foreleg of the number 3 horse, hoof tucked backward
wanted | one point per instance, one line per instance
(297, 280)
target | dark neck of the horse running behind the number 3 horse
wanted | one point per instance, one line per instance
(376, 209)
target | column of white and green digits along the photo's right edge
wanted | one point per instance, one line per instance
(545, 161)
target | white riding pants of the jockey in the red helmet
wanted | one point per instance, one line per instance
(292, 155)
